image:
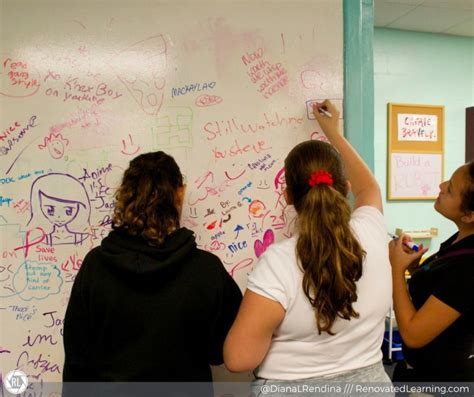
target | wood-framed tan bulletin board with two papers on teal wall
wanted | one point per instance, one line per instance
(415, 151)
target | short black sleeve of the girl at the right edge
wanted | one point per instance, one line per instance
(454, 284)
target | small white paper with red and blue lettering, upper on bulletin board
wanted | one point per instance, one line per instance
(418, 127)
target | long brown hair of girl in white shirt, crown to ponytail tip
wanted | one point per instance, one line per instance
(329, 253)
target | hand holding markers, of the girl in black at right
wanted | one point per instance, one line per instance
(404, 254)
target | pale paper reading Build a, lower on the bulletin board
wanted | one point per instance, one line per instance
(415, 175)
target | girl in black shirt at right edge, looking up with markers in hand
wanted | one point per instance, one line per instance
(436, 316)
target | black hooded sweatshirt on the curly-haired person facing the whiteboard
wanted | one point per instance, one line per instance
(142, 313)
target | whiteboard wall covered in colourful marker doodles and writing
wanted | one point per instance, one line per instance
(223, 86)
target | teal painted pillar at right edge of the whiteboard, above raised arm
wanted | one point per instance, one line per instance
(359, 77)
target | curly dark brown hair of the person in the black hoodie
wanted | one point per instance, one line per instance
(146, 199)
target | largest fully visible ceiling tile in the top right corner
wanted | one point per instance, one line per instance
(429, 19)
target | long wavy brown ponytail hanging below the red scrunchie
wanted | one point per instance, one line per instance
(330, 256)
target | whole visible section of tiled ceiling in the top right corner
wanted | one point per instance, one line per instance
(437, 16)
